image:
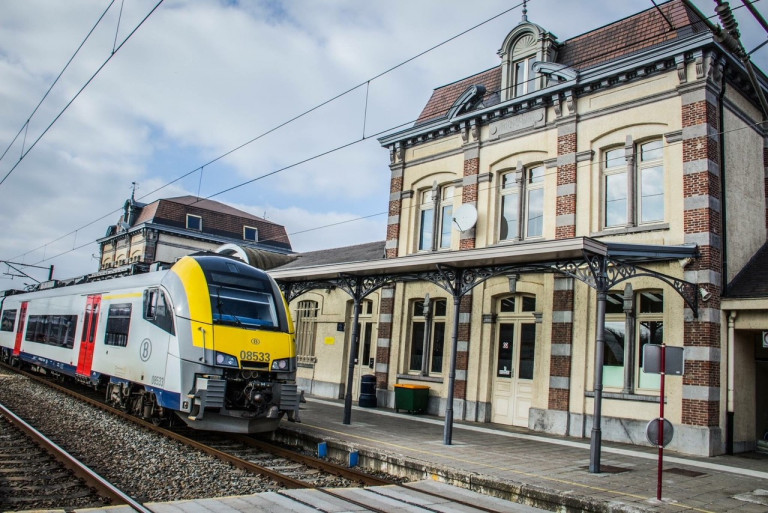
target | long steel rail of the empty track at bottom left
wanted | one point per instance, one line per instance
(91, 478)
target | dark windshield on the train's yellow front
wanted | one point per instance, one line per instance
(243, 307)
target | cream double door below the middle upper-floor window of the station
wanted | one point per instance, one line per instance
(514, 362)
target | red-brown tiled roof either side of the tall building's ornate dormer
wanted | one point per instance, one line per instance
(619, 39)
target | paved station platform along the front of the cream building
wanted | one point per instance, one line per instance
(537, 469)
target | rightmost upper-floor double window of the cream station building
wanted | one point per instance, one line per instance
(633, 184)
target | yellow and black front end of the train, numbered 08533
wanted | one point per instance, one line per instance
(236, 346)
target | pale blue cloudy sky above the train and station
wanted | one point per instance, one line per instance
(201, 78)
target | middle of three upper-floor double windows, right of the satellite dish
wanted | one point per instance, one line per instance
(522, 204)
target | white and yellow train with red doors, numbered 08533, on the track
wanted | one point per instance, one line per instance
(208, 340)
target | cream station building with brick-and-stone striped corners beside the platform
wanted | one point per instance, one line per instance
(617, 176)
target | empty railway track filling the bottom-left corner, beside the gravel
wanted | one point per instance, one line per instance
(35, 473)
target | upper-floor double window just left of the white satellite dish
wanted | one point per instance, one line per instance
(435, 229)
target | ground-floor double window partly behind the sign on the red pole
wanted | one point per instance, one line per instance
(631, 321)
